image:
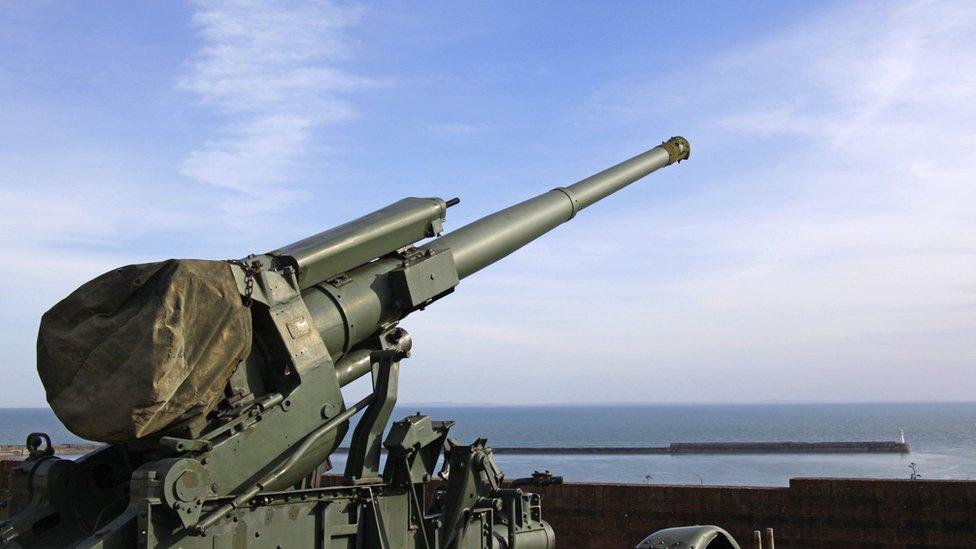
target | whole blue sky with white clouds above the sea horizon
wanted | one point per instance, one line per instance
(820, 245)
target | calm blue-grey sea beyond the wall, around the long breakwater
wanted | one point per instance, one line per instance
(942, 438)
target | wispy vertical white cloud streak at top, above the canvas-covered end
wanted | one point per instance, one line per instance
(274, 70)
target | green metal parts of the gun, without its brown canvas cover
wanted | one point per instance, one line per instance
(324, 312)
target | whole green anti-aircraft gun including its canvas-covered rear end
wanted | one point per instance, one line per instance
(217, 386)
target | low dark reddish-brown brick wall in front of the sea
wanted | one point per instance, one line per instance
(810, 512)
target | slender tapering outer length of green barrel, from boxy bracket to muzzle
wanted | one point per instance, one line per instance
(485, 241)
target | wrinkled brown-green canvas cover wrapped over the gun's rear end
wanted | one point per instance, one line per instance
(133, 350)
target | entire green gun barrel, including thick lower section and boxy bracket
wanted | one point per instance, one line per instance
(382, 292)
